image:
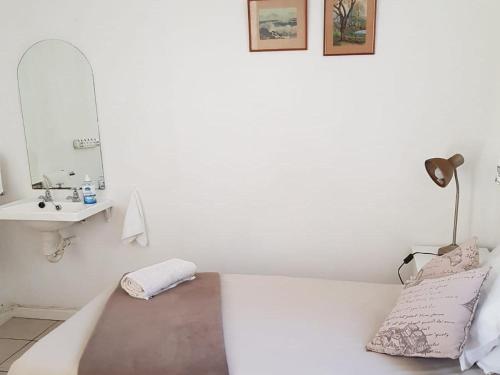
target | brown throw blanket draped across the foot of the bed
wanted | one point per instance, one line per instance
(178, 332)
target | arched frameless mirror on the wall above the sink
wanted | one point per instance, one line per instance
(56, 88)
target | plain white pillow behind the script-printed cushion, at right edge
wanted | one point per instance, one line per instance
(484, 334)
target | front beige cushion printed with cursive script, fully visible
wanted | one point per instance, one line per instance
(431, 319)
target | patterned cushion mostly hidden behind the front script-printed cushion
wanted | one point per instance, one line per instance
(463, 258)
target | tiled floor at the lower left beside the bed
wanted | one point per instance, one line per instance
(17, 335)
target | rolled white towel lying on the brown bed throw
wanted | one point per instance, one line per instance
(150, 281)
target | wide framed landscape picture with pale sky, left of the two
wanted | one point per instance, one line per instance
(277, 25)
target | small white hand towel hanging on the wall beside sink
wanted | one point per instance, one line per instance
(134, 226)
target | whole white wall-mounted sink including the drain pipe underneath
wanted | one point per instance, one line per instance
(49, 220)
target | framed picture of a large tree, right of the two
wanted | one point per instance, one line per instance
(349, 27)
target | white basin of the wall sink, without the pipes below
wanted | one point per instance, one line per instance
(49, 219)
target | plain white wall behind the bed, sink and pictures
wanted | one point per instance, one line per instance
(278, 163)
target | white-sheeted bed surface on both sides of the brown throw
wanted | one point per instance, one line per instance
(273, 325)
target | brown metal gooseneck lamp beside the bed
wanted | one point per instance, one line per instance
(441, 171)
